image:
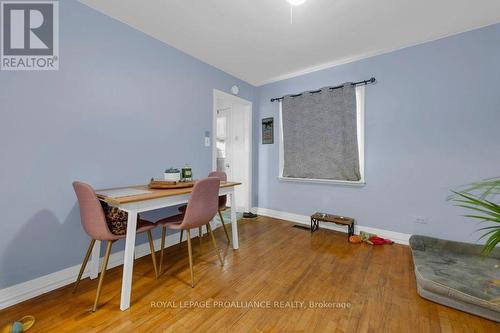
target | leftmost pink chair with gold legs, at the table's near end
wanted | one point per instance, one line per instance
(94, 223)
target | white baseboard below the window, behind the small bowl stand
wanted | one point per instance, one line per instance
(397, 237)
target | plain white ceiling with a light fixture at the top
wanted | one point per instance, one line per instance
(254, 40)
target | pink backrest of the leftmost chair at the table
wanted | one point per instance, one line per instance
(91, 213)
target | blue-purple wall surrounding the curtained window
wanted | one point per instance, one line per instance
(432, 123)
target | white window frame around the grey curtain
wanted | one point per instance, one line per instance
(360, 119)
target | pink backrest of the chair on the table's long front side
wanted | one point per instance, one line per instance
(202, 205)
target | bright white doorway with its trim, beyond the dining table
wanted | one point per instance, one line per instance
(232, 144)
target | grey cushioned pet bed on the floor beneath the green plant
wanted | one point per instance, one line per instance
(456, 275)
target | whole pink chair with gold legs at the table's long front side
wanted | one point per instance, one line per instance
(201, 209)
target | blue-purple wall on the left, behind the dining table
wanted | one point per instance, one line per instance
(121, 109)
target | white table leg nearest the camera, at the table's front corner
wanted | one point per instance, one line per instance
(128, 260)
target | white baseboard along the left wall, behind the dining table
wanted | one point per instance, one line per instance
(26, 290)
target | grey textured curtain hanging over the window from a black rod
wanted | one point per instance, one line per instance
(320, 135)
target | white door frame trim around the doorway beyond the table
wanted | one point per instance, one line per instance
(248, 106)
